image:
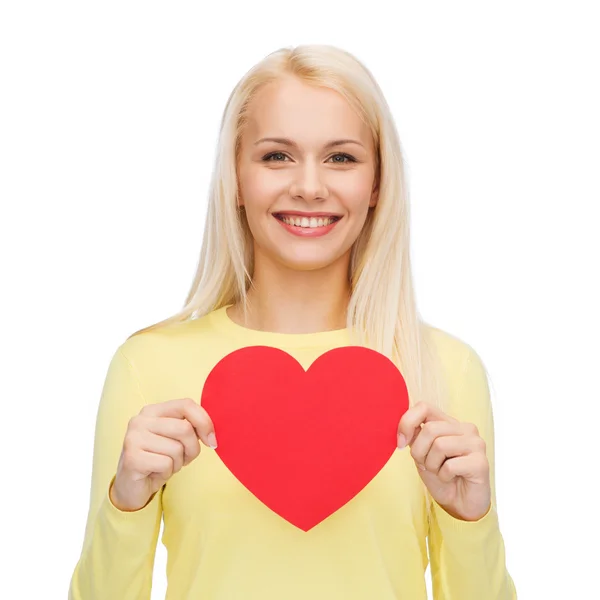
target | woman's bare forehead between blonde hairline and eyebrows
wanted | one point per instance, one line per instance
(304, 112)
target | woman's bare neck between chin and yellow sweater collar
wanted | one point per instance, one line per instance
(290, 301)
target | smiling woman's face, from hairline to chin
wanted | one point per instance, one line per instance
(305, 199)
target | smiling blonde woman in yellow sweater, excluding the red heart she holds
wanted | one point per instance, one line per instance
(306, 249)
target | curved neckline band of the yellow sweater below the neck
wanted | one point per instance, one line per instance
(257, 337)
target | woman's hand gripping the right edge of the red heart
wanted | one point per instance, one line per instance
(451, 460)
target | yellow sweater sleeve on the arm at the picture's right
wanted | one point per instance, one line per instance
(468, 557)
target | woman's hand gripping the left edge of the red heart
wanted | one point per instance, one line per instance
(159, 441)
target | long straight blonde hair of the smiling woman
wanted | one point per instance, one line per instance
(382, 310)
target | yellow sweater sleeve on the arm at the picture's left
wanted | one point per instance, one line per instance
(117, 557)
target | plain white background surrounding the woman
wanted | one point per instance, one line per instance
(108, 123)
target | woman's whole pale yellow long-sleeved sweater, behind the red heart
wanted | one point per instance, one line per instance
(224, 544)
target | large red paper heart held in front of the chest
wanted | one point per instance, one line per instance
(305, 442)
